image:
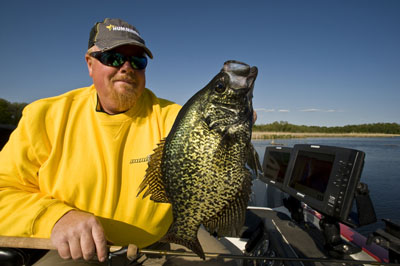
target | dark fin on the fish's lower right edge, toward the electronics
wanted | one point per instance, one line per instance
(229, 221)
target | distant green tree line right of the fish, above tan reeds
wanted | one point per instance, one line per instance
(284, 126)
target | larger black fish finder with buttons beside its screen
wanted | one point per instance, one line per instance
(325, 178)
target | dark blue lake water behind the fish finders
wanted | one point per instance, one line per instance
(381, 170)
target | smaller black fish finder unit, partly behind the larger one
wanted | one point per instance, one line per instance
(276, 161)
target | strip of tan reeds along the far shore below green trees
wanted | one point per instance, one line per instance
(291, 135)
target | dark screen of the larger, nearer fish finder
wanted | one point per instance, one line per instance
(311, 173)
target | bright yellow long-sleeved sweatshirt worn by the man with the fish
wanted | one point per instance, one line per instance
(66, 155)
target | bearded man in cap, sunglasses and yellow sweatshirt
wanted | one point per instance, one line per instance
(71, 169)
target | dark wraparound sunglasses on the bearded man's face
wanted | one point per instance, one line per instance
(115, 59)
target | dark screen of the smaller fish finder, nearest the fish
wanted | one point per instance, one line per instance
(277, 163)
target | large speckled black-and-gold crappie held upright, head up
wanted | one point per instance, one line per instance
(201, 167)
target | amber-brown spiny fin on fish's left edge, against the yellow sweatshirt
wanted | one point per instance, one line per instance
(153, 179)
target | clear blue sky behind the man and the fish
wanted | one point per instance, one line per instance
(321, 62)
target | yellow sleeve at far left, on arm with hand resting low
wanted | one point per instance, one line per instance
(24, 209)
